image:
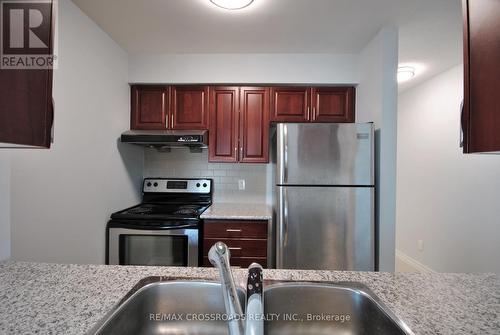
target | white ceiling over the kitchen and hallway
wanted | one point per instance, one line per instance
(430, 30)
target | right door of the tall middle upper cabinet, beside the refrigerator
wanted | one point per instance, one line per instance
(254, 125)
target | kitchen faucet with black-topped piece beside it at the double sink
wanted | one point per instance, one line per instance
(219, 255)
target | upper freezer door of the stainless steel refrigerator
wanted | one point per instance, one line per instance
(324, 154)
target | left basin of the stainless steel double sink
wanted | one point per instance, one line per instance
(169, 307)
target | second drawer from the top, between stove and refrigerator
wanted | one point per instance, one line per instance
(239, 247)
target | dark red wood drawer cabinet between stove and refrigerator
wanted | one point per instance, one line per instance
(246, 239)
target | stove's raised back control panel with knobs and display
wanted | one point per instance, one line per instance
(177, 185)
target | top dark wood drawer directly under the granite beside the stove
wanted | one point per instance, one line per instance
(235, 229)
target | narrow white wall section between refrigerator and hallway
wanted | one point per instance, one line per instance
(377, 102)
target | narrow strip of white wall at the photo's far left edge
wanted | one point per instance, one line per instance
(4, 205)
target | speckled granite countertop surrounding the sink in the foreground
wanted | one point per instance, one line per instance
(70, 299)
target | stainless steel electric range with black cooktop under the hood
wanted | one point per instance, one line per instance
(163, 229)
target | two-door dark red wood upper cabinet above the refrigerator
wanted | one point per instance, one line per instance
(313, 104)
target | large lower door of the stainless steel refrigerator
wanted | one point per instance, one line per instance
(325, 228)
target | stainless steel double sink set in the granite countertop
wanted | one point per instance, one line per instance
(159, 305)
